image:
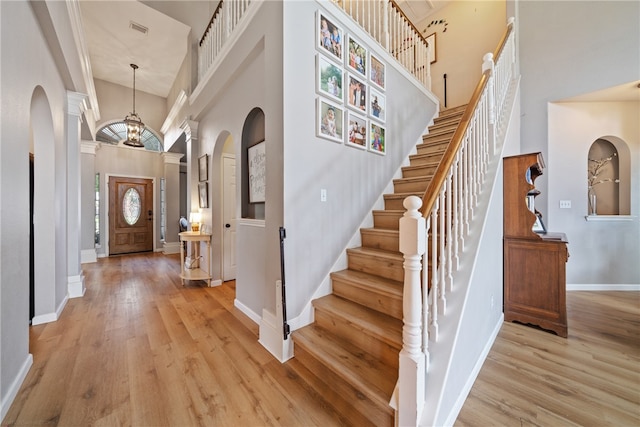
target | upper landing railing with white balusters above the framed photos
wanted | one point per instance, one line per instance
(386, 23)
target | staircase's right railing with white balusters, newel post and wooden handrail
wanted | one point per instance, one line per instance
(447, 208)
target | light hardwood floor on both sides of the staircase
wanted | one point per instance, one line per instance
(140, 349)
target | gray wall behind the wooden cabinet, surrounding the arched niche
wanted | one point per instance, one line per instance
(569, 49)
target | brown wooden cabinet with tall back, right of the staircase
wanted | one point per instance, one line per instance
(534, 262)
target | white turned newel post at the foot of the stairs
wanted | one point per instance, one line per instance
(412, 359)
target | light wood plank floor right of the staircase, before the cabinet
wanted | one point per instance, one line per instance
(591, 378)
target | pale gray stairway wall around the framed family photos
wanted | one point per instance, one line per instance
(318, 232)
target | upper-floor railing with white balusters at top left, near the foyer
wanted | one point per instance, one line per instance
(224, 20)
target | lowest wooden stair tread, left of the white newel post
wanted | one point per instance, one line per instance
(373, 379)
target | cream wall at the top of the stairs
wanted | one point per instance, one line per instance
(473, 29)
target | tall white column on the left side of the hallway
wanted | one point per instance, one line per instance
(76, 105)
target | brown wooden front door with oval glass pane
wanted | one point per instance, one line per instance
(130, 215)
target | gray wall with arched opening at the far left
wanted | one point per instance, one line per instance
(25, 65)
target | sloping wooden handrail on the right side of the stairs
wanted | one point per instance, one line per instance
(431, 193)
